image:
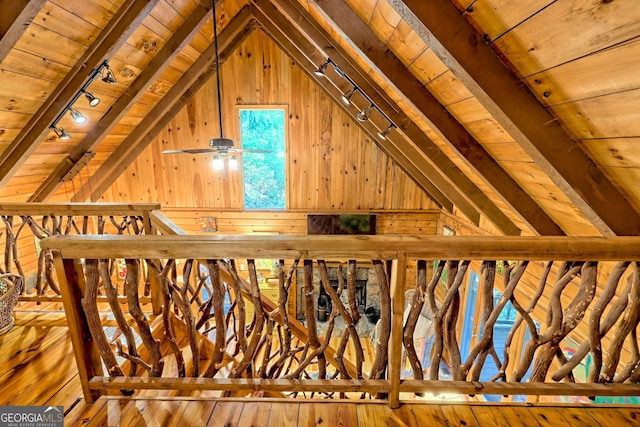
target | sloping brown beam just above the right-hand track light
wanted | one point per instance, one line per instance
(437, 159)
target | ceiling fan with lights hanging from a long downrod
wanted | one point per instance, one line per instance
(221, 146)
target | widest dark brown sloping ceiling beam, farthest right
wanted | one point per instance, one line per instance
(443, 28)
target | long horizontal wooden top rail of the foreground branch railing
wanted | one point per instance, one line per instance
(351, 247)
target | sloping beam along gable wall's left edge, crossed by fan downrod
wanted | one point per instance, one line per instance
(176, 98)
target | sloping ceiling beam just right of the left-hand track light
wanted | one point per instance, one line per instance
(119, 109)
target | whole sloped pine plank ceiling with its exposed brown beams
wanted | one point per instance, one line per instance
(519, 114)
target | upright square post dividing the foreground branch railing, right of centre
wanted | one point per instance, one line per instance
(397, 285)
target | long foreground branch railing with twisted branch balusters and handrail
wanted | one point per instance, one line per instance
(197, 344)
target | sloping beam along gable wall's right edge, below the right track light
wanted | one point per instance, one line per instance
(442, 198)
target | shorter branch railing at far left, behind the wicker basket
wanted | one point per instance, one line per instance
(43, 220)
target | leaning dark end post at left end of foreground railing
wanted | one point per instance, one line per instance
(72, 285)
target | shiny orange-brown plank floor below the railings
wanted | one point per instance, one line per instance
(37, 368)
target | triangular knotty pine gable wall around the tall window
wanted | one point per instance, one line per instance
(331, 166)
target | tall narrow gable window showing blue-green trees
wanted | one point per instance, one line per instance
(263, 173)
